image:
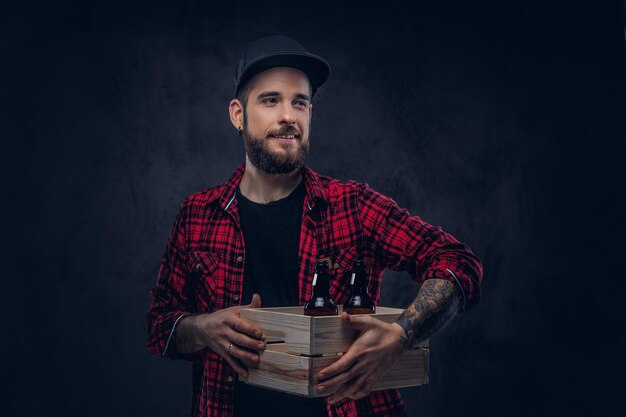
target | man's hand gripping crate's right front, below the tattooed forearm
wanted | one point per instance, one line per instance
(375, 351)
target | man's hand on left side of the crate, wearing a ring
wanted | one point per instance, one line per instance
(227, 334)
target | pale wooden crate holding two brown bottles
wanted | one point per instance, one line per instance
(299, 346)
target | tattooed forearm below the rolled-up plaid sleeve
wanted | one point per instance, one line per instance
(435, 305)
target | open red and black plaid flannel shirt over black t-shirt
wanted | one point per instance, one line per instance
(202, 271)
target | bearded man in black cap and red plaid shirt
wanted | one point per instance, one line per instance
(257, 237)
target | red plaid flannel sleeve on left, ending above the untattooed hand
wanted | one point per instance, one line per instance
(171, 296)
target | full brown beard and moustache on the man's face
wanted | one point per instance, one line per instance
(262, 157)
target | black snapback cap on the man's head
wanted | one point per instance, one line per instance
(280, 51)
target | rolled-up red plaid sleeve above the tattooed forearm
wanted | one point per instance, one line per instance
(407, 243)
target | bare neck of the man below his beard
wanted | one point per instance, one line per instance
(262, 187)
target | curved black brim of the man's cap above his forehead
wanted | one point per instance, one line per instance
(315, 67)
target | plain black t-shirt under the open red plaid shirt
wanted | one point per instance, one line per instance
(272, 235)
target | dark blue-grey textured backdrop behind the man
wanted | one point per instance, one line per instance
(502, 122)
